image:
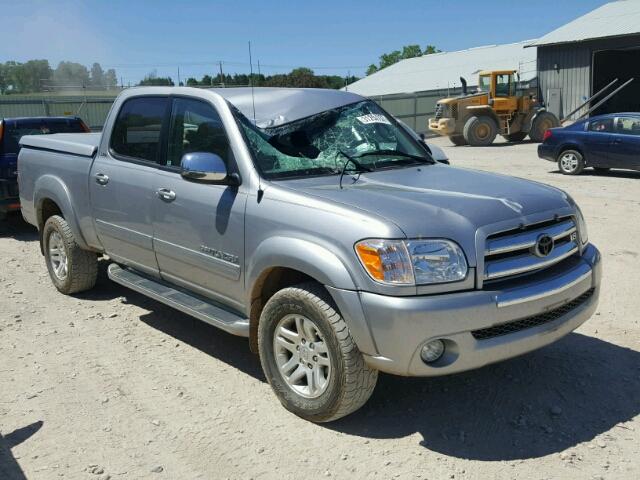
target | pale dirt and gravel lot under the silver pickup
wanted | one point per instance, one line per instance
(109, 384)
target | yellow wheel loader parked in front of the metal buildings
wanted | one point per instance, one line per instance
(497, 108)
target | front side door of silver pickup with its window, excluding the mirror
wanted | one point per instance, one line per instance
(199, 227)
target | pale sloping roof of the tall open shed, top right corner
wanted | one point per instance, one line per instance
(610, 20)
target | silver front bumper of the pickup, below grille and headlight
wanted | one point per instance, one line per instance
(400, 326)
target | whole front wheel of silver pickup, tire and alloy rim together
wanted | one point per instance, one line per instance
(309, 357)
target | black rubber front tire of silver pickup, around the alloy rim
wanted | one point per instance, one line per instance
(349, 383)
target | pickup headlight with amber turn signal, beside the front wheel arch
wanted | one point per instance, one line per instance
(412, 262)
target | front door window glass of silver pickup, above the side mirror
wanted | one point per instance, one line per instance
(195, 126)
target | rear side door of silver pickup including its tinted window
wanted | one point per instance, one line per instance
(122, 178)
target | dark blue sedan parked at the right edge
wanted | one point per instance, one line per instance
(602, 142)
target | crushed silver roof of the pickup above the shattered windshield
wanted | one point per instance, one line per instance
(277, 106)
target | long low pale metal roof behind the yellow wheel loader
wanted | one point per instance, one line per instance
(443, 70)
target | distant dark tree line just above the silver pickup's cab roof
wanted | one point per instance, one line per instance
(298, 77)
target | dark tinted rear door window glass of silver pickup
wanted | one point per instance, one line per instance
(137, 130)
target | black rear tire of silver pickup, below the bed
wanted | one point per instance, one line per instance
(81, 266)
